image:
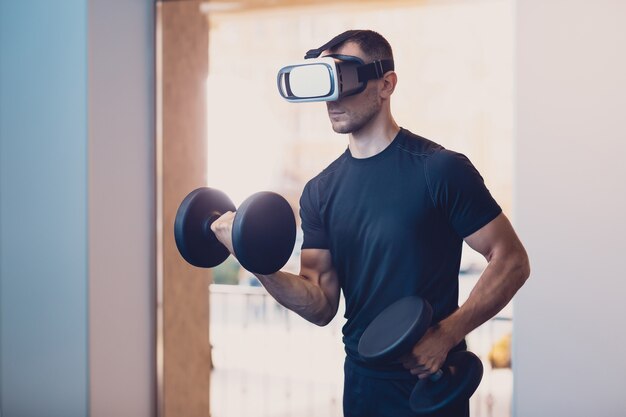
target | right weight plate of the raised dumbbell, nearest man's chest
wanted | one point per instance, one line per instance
(264, 232)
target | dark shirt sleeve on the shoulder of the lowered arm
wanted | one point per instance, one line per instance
(459, 192)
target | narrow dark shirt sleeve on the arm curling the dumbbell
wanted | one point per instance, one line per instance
(315, 236)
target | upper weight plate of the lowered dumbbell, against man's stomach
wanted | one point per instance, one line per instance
(395, 330)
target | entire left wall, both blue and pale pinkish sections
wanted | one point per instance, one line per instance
(77, 286)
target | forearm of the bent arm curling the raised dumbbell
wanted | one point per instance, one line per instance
(299, 294)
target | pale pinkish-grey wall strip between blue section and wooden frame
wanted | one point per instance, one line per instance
(122, 299)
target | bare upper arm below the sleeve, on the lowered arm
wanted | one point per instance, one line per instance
(497, 236)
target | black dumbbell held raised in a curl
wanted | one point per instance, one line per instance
(264, 230)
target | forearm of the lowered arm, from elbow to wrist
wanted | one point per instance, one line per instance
(496, 287)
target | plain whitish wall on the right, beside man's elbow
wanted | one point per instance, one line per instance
(570, 202)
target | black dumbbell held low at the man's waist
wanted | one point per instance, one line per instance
(395, 331)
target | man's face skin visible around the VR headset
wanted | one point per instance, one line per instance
(350, 114)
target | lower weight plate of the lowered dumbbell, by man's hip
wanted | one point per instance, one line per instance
(462, 373)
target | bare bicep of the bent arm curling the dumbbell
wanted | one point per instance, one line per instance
(316, 265)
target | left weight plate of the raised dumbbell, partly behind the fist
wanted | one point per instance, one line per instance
(194, 239)
